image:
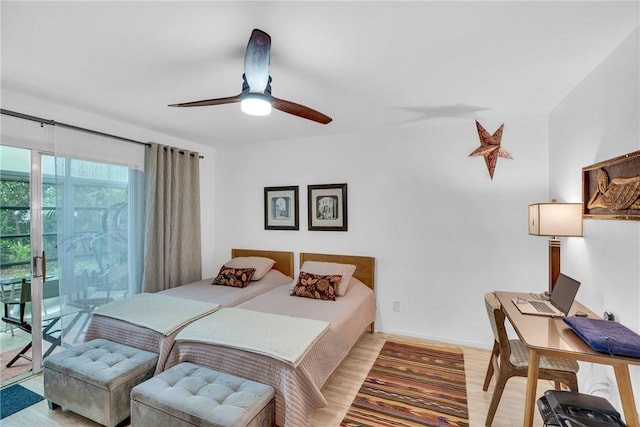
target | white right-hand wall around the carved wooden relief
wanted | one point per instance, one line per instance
(600, 120)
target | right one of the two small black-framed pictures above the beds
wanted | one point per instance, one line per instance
(327, 207)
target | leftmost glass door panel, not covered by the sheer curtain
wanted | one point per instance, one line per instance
(24, 209)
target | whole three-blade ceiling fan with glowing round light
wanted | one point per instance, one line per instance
(256, 97)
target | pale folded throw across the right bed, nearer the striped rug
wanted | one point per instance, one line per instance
(284, 338)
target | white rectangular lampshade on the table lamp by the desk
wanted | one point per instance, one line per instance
(555, 219)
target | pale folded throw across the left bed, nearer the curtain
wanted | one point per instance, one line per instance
(160, 313)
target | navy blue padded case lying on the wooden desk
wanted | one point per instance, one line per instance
(606, 336)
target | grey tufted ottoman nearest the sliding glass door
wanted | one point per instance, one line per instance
(95, 379)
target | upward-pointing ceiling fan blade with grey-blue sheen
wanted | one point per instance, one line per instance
(256, 61)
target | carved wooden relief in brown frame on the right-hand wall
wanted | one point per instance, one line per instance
(611, 189)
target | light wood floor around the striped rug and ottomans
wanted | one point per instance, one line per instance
(340, 391)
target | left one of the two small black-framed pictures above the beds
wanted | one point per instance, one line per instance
(281, 208)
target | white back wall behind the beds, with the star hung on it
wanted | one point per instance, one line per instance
(441, 231)
